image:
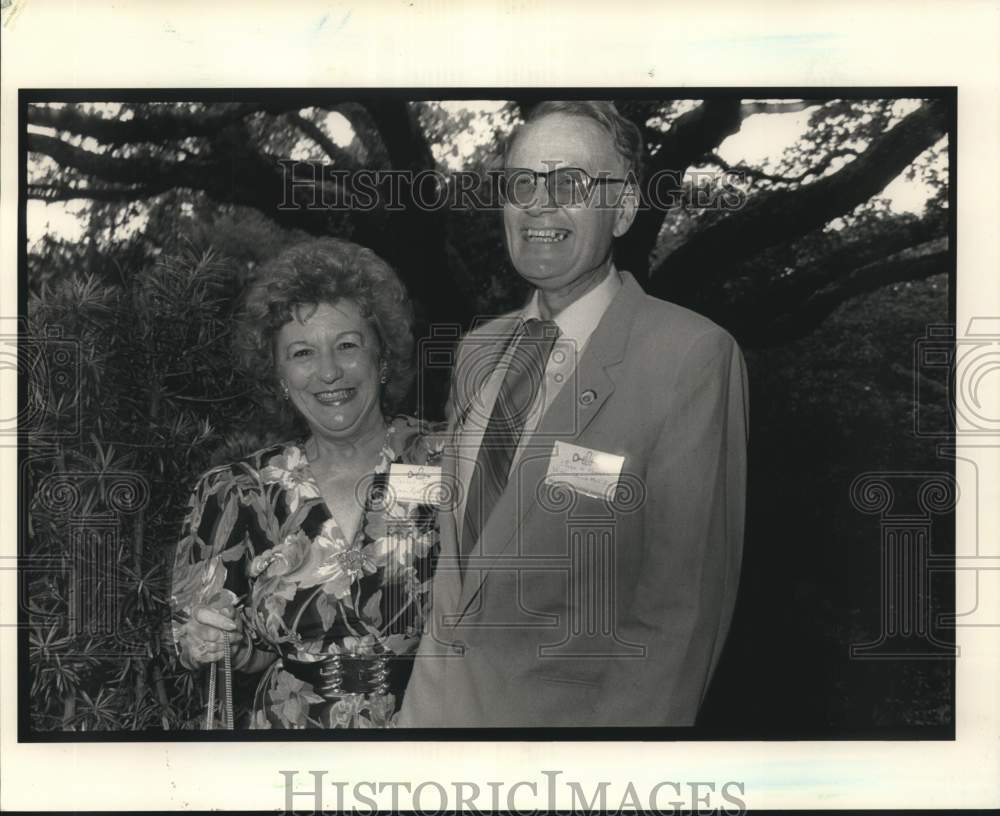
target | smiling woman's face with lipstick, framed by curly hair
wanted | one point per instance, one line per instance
(329, 362)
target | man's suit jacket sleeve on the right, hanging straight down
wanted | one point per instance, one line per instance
(692, 544)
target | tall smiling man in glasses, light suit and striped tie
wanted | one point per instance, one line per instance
(591, 557)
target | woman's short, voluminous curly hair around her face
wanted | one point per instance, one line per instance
(326, 270)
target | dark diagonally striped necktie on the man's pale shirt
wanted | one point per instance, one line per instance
(506, 424)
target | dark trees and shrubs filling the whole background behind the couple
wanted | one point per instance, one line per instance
(825, 285)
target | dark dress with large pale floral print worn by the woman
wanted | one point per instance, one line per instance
(258, 536)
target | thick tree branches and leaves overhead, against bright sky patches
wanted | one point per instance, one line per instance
(810, 233)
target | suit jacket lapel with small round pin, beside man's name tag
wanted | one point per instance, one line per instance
(568, 417)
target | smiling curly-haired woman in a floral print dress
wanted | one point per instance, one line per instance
(295, 559)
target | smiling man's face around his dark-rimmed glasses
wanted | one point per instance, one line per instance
(564, 248)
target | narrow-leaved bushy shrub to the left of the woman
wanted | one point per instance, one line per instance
(140, 360)
